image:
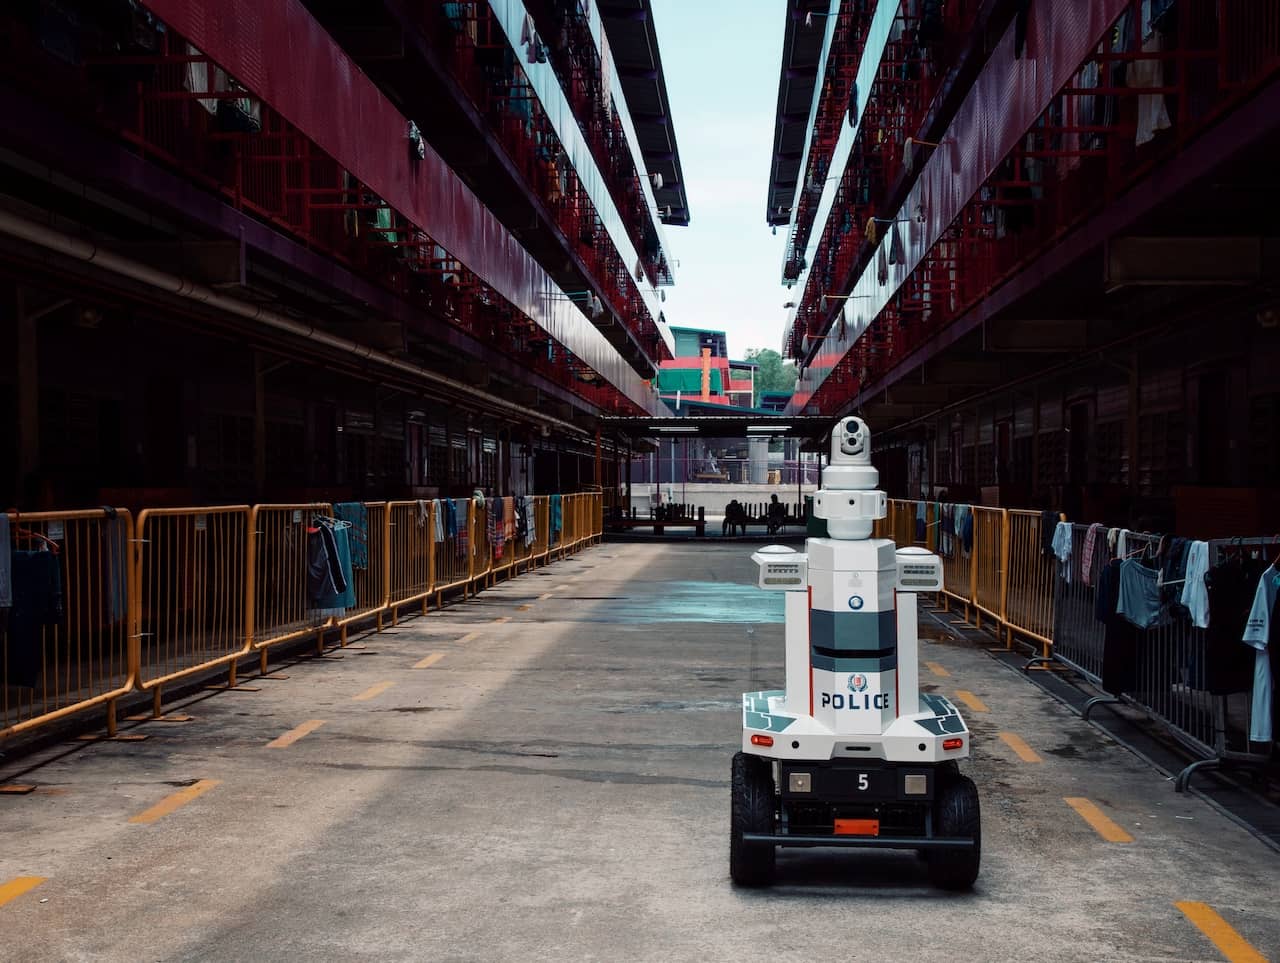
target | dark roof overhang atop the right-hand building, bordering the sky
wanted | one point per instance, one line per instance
(802, 53)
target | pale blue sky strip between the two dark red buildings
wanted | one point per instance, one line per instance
(721, 60)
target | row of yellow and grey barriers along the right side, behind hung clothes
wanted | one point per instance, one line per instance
(1007, 573)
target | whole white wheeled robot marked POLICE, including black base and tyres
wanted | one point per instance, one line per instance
(852, 754)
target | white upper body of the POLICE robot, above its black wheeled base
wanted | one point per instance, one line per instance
(852, 635)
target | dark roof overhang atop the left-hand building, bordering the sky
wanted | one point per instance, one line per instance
(634, 44)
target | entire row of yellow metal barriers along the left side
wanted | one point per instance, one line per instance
(104, 609)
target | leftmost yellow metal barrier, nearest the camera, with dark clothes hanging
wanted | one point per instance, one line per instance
(67, 645)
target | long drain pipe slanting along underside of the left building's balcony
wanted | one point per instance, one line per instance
(88, 252)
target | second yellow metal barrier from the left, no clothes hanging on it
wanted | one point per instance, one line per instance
(193, 591)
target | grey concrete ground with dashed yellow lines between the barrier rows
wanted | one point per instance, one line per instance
(543, 774)
